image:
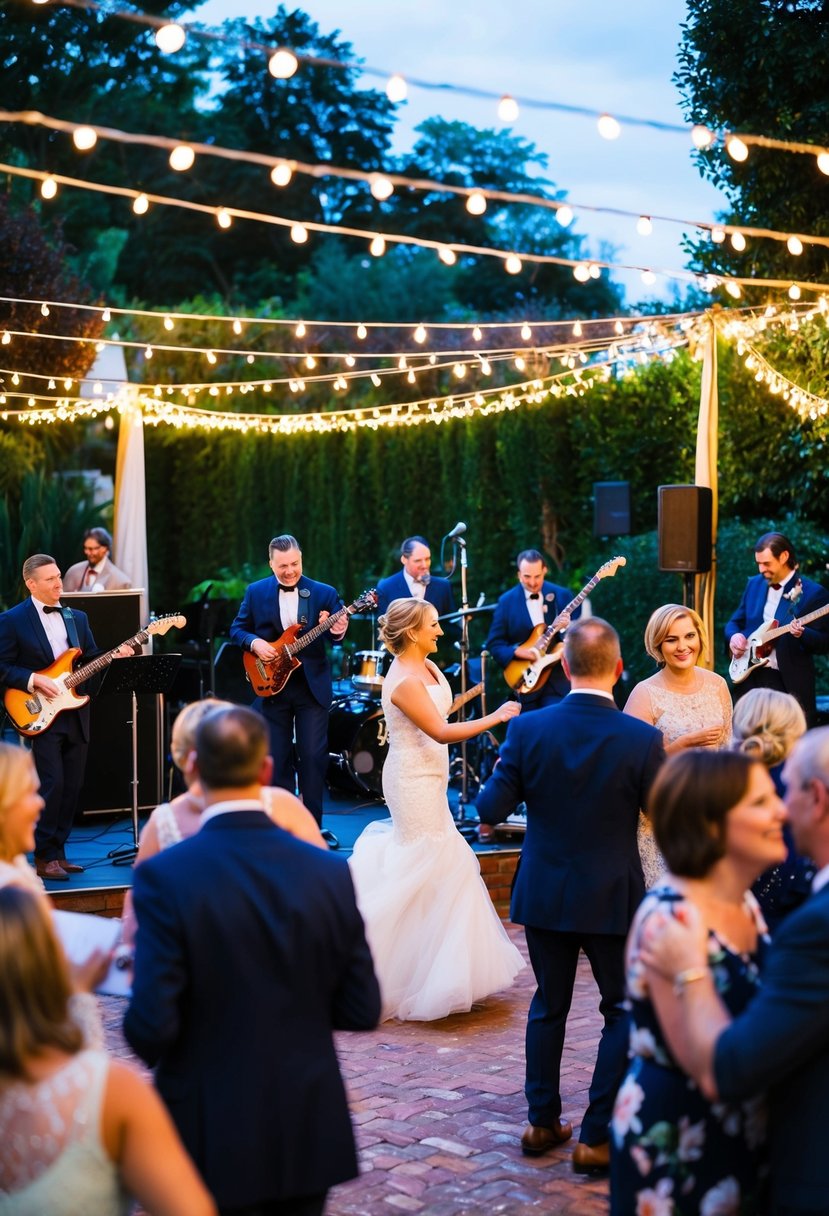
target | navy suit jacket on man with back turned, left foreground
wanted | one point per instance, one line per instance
(250, 953)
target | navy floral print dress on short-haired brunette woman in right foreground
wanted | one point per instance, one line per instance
(674, 1153)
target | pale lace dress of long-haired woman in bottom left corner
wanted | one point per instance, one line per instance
(52, 1158)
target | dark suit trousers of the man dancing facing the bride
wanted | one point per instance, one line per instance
(555, 958)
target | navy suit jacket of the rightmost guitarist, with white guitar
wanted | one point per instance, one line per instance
(794, 656)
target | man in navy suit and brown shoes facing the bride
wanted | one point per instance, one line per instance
(584, 770)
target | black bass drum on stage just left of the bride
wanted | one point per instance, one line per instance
(358, 745)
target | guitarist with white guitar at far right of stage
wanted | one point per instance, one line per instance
(780, 593)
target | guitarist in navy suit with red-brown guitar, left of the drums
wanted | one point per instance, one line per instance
(301, 710)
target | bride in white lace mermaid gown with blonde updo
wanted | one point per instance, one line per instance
(436, 938)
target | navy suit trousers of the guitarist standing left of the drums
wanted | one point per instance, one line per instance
(295, 716)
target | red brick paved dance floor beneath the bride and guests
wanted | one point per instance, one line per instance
(439, 1108)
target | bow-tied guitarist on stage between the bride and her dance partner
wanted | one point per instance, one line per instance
(535, 601)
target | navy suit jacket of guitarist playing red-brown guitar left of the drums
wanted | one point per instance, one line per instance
(260, 617)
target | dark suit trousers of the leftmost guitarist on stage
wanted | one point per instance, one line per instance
(60, 757)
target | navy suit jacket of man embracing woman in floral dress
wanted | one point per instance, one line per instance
(781, 1044)
